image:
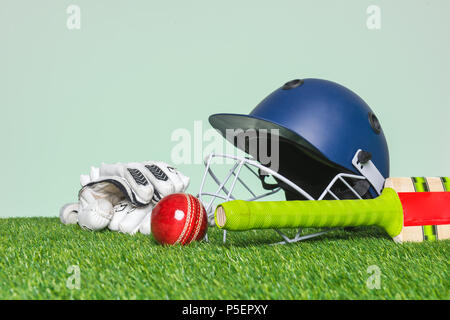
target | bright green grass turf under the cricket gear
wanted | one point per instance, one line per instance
(36, 253)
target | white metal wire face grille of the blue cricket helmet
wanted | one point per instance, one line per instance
(217, 188)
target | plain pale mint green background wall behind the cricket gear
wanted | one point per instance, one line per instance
(116, 89)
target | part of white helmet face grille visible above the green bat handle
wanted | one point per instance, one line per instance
(224, 180)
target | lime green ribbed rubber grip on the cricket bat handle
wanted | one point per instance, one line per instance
(385, 211)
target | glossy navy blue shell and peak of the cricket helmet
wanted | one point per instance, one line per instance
(320, 117)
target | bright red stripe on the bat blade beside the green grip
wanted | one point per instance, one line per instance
(425, 208)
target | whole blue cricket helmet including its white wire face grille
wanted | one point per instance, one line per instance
(328, 145)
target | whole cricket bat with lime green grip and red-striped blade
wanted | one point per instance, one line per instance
(409, 209)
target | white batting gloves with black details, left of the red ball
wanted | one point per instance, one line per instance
(121, 196)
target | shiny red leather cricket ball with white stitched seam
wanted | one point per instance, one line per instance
(179, 218)
